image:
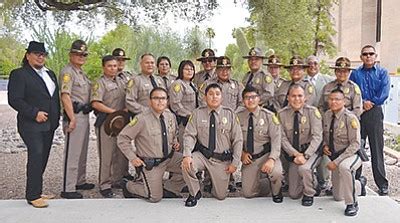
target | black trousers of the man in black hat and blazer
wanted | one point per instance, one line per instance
(39, 145)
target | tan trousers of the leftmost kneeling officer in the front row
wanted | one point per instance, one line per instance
(152, 185)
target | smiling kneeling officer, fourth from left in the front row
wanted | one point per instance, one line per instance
(301, 140)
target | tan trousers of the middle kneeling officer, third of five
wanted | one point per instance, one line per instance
(252, 183)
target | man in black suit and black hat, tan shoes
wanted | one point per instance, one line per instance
(33, 93)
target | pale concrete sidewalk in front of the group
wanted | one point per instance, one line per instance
(372, 209)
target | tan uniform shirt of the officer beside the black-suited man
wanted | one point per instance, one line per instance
(74, 82)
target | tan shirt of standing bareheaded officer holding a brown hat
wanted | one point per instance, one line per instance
(110, 92)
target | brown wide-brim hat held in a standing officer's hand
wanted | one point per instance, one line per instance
(115, 122)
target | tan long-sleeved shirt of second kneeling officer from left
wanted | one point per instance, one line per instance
(228, 132)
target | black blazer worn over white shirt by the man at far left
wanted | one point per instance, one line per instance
(28, 94)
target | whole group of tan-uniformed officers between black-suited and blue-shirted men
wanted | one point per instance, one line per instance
(277, 131)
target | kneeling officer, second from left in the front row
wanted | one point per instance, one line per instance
(215, 135)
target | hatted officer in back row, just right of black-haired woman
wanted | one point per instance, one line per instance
(207, 60)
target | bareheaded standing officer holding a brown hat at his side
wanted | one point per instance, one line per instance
(108, 96)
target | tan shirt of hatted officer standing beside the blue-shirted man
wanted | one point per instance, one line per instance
(352, 96)
